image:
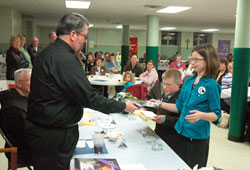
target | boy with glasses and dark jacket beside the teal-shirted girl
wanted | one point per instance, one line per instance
(171, 82)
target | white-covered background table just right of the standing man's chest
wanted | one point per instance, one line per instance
(109, 80)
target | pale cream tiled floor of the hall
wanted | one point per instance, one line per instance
(223, 153)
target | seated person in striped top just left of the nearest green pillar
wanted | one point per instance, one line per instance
(226, 83)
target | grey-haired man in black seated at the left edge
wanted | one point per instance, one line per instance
(14, 105)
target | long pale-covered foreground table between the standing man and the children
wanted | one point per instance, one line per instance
(138, 151)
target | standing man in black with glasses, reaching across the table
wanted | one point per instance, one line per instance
(59, 92)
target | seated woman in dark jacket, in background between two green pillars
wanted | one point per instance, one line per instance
(134, 66)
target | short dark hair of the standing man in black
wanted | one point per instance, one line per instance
(71, 22)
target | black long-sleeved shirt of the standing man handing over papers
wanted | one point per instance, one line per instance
(60, 89)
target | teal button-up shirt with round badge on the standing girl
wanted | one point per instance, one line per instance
(205, 97)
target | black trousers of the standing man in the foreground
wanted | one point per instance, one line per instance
(51, 148)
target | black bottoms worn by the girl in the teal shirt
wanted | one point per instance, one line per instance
(194, 151)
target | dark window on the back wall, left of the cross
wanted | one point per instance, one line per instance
(169, 38)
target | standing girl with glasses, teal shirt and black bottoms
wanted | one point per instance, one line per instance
(198, 105)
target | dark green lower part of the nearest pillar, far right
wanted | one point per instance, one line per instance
(239, 92)
